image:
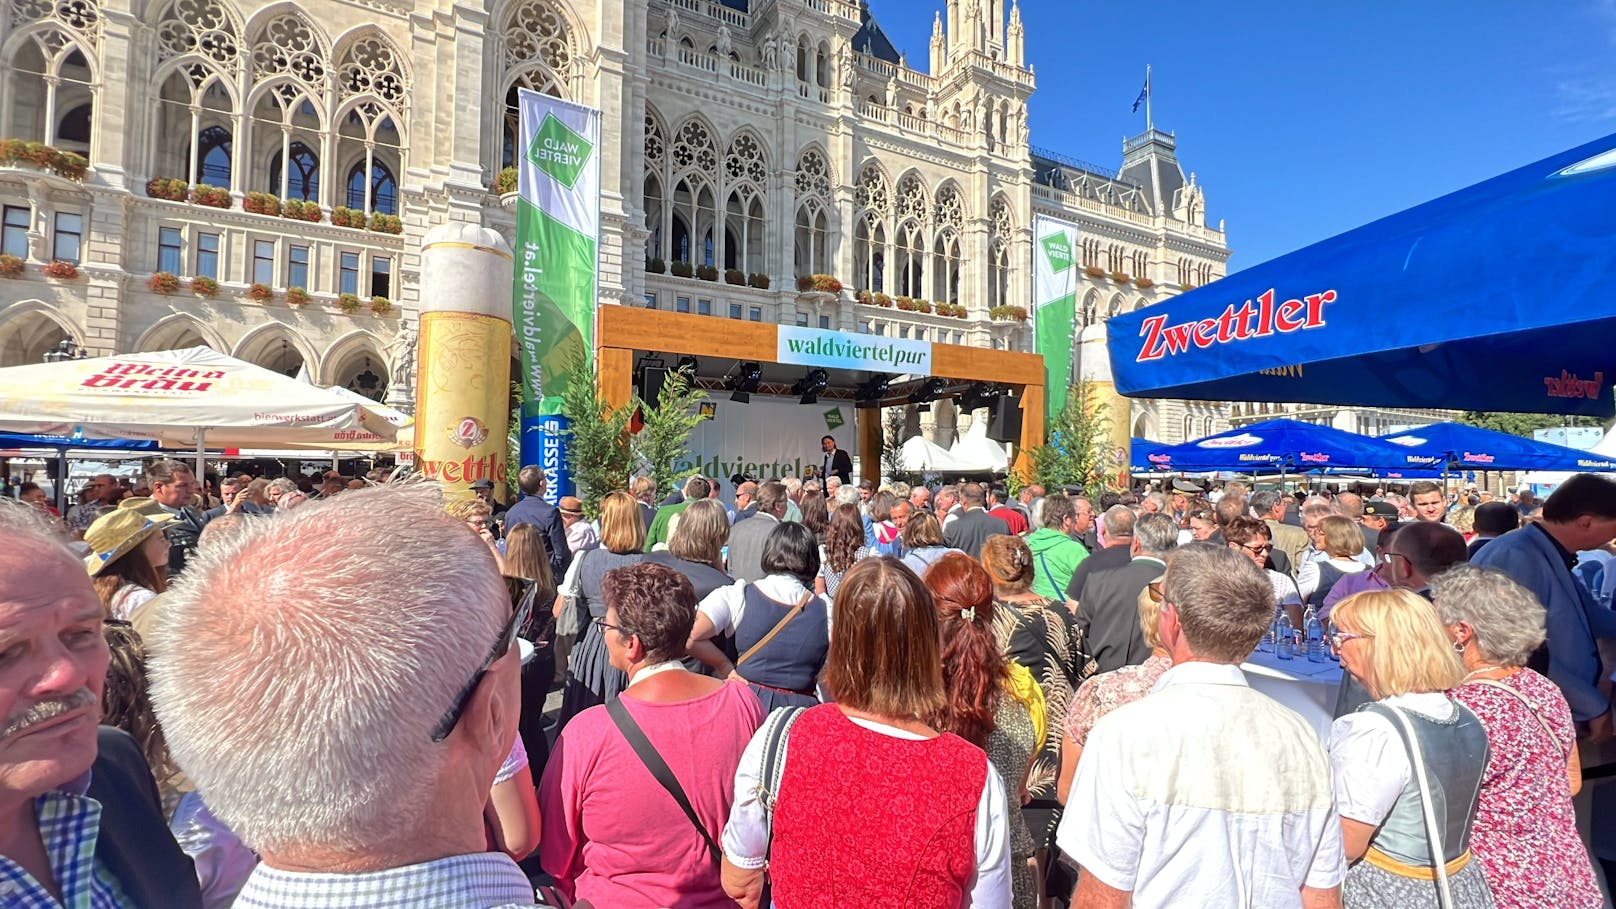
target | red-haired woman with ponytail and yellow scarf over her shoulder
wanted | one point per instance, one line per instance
(991, 703)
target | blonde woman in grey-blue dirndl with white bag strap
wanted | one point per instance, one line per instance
(1410, 766)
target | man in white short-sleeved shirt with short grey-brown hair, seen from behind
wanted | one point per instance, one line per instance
(1206, 793)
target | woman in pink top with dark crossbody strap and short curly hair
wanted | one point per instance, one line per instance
(612, 834)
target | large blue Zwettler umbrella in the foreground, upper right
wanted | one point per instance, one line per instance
(1500, 297)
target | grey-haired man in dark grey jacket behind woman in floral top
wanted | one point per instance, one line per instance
(1109, 602)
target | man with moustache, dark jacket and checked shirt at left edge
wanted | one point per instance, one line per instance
(49, 769)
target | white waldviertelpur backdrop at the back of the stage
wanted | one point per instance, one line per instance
(767, 439)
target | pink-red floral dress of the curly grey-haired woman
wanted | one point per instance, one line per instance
(1525, 834)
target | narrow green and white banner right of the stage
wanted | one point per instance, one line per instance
(1054, 305)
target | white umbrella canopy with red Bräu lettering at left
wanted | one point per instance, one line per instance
(185, 400)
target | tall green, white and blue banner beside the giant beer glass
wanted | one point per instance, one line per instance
(558, 219)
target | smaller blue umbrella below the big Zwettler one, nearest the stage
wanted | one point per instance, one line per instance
(1274, 446)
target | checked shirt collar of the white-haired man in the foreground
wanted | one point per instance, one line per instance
(484, 881)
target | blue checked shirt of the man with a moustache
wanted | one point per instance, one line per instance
(69, 826)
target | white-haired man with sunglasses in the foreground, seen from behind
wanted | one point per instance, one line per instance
(393, 672)
